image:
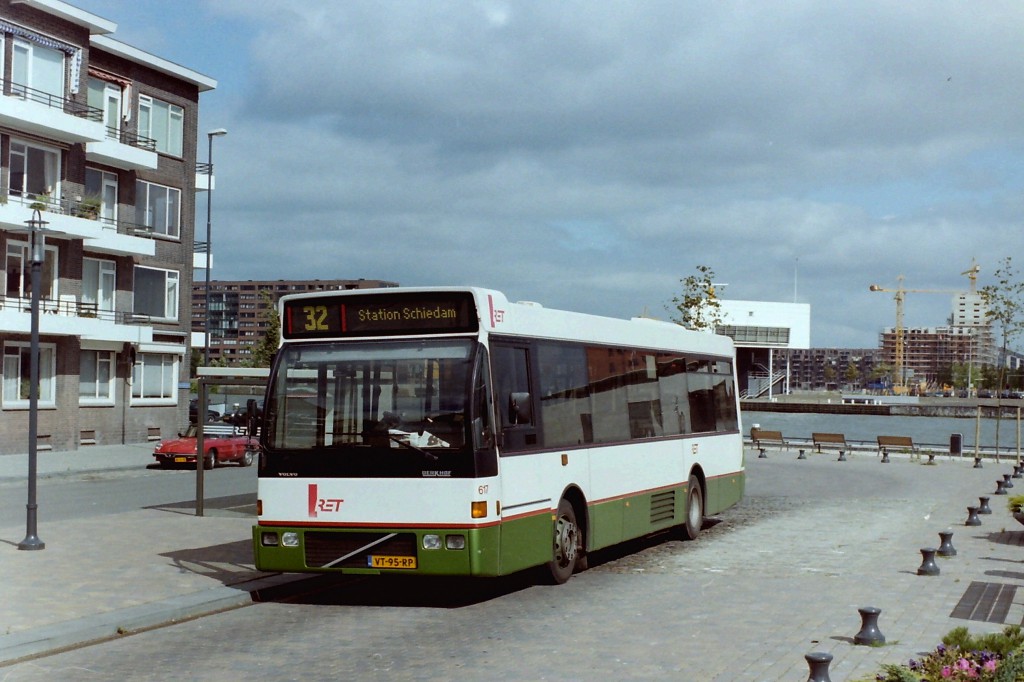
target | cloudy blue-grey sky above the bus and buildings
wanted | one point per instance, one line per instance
(589, 156)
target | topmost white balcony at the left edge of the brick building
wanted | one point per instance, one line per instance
(51, 116)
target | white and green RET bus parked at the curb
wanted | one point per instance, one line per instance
(449, 432)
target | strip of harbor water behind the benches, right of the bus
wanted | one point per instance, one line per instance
(933, 433)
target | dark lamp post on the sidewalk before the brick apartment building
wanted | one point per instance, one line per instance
(36, 255)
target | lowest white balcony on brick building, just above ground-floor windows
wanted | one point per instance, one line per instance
(69, 317)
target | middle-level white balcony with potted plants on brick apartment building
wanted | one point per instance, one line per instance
(75, 220)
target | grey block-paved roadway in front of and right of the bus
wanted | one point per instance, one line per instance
(778, 577)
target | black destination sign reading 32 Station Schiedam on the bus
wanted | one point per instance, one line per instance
(380, 315)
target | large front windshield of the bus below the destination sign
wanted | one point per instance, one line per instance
(371, 400)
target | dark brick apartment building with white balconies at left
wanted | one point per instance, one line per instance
(98, 147)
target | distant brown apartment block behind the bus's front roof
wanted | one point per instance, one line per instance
(239, 315)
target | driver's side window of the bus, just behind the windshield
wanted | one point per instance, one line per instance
(514, 397)
